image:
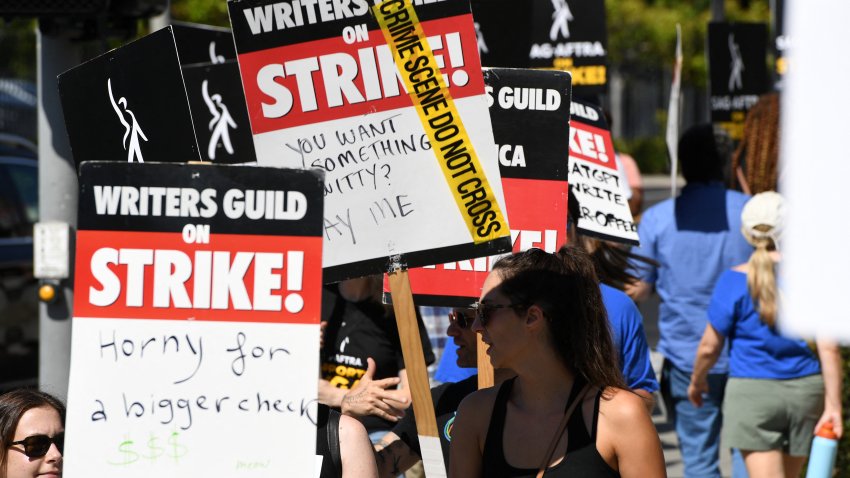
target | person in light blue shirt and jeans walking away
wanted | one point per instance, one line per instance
(693, 238)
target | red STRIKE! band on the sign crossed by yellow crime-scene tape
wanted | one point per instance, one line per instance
(332, 78)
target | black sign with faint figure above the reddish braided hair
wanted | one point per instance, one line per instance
(737, 54)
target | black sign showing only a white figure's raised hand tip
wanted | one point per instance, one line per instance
(198, 43)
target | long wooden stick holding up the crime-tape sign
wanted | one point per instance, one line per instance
(417, 374)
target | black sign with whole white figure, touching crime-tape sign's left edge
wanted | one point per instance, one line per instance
(221, 116)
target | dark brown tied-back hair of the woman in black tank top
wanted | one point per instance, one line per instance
(565, 286)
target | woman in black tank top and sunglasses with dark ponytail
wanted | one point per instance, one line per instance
(566, 413)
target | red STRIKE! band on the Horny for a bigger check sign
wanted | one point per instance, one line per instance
(215, 277)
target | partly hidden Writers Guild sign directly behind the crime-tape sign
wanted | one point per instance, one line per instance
(534, 177)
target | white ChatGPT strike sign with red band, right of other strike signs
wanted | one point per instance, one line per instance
(595, 180)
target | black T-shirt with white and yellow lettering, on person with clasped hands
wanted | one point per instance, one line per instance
(359, 330)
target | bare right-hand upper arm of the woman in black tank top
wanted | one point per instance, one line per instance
(625, 426)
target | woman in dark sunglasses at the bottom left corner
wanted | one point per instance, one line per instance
(32, 433)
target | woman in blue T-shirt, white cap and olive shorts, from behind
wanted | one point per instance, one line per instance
(777, 393)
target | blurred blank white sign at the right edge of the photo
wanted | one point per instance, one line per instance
(814, 172)
